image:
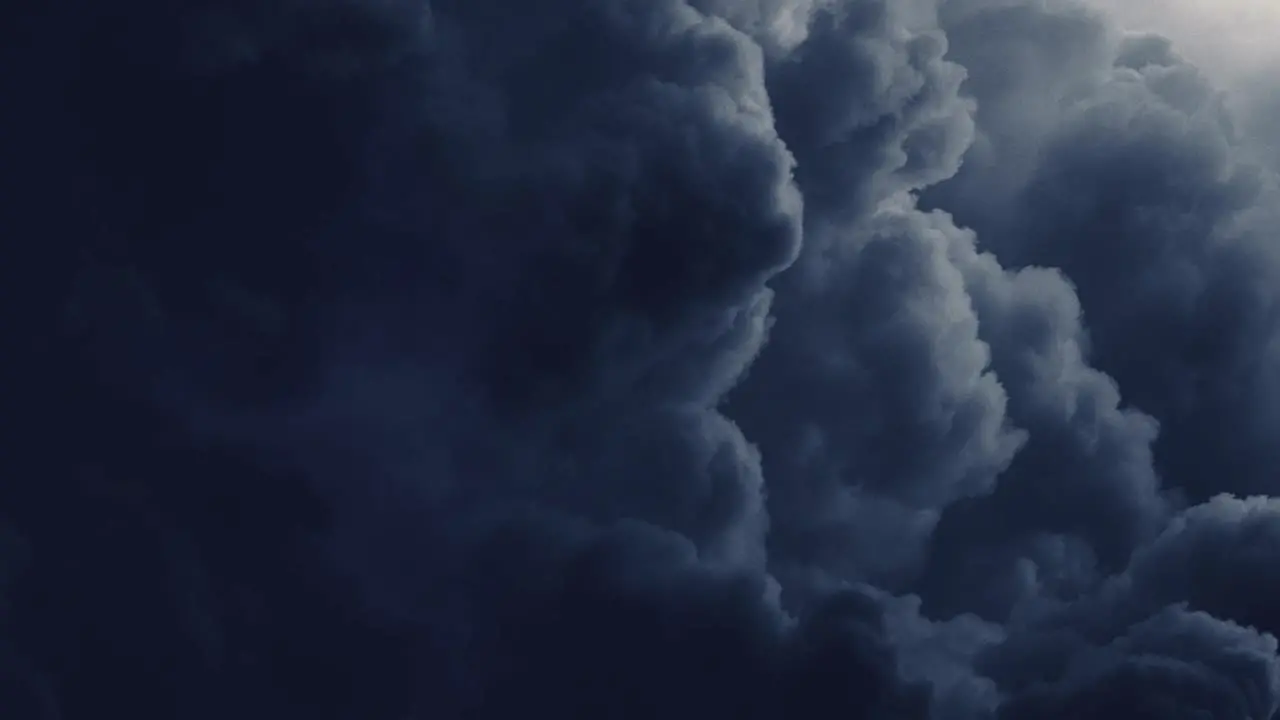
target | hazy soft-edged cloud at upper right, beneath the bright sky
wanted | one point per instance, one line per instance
(1140, 188)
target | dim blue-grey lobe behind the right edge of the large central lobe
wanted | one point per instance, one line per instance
(1084, 491)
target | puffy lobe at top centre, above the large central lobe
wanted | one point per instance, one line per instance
(885, 117)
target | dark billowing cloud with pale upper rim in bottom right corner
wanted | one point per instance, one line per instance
(1186, 628)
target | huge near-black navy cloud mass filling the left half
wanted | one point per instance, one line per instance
(508, 288)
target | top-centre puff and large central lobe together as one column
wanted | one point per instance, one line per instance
(854, 384)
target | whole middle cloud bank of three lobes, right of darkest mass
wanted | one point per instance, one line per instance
(908, 371)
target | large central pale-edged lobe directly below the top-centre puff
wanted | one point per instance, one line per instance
(876, 395)
